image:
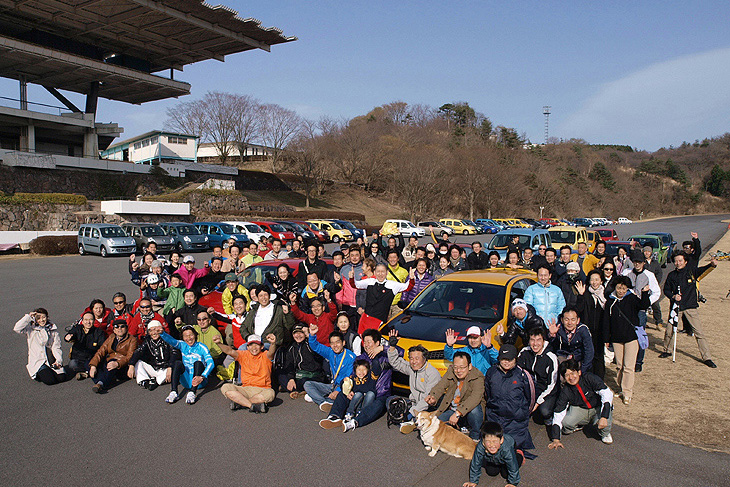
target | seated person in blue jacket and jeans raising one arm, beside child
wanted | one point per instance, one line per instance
(341, 361)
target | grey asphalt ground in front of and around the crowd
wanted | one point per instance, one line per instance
(66, 435)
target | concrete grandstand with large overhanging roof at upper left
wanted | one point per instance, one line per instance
(114, 49)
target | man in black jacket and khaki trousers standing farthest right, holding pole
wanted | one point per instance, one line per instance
(681, 289)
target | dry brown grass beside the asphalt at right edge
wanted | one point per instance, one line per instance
(686, 401)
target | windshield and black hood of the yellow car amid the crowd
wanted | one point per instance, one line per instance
(468, 301)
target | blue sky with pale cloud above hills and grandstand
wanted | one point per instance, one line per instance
(647, 74)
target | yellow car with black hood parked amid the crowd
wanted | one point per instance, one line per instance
(457, 301)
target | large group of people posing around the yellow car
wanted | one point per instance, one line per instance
(315, 332)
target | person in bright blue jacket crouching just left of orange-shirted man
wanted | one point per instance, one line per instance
(194, 368)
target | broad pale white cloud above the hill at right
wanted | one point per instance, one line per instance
(686, 98)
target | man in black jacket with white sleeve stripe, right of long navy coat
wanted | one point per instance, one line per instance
(542, 364)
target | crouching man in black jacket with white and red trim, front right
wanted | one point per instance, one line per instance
(584, 399)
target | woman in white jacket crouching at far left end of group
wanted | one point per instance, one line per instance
(42, 335)
